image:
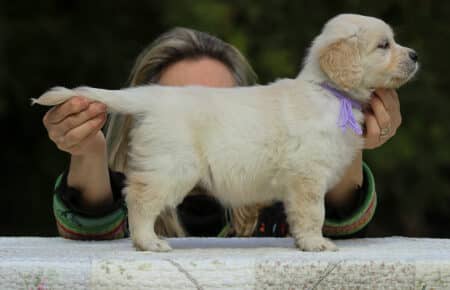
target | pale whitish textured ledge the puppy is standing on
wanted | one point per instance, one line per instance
(233, 263)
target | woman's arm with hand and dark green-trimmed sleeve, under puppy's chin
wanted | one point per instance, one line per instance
(354, 197)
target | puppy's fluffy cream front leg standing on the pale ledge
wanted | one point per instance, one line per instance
(305, 210)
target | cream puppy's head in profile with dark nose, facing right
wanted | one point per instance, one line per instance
(359, 53)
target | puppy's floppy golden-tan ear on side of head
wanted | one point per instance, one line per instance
(341, 61)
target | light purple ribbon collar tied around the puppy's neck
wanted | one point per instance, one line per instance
(346, 117)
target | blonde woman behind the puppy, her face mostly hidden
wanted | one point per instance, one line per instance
(88, 203)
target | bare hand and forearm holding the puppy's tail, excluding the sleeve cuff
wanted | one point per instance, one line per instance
(75, 127)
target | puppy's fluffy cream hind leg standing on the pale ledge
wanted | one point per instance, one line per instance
(147, 195)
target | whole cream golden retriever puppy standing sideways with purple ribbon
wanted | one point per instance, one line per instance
(290, 140)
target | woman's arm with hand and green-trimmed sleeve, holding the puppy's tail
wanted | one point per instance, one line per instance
(87, 200)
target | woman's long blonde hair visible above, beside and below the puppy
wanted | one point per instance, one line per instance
(172, 46)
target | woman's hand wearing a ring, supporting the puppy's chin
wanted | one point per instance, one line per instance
(382, 118)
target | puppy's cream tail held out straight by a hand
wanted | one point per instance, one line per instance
(115, 100)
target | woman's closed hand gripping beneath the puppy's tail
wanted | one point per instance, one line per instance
(74, 126)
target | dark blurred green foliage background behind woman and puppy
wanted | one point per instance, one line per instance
(46, 43)
